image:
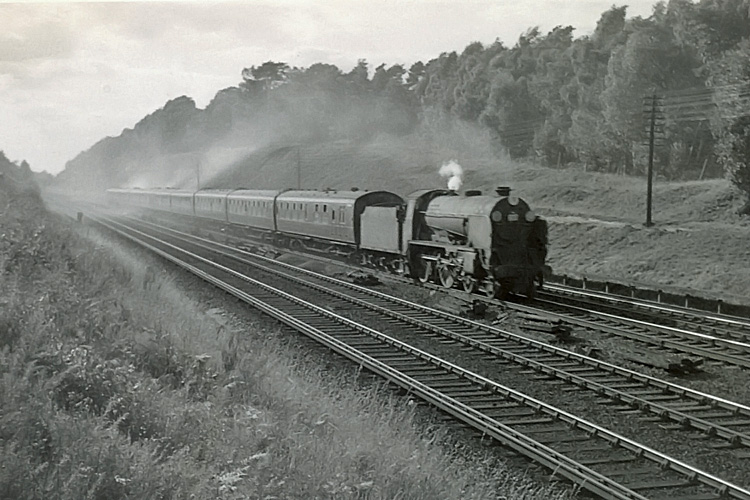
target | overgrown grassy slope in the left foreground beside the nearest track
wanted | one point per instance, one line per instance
(114, 384)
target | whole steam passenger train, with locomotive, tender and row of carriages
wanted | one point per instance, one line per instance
(492, 244)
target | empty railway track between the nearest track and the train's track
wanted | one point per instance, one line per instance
(661, 401)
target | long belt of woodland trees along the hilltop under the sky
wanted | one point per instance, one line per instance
(552, 97)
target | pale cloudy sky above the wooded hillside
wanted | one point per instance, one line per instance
(74, 73)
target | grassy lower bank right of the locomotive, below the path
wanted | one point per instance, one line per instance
(706, 258)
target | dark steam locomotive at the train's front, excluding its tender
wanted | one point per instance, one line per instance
(493, 243)
